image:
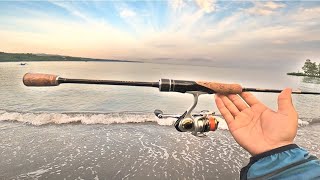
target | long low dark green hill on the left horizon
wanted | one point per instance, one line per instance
(28, 57)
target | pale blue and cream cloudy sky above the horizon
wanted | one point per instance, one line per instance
(222, 33)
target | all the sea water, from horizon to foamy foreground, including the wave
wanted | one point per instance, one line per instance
(77, 131)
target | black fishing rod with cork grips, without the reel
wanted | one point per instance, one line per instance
(165, 85)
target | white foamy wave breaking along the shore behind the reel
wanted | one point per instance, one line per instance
(42, 118)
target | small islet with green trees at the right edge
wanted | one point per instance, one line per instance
(310, 69)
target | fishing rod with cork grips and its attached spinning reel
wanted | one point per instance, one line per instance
(197, 123)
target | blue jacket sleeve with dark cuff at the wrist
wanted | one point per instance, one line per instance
(287, 162)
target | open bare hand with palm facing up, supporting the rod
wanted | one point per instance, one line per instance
(256, 127)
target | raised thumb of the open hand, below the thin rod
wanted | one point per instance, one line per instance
(285, 101)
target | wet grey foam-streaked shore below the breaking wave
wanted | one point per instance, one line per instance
(122, 151)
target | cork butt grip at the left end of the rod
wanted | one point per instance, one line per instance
(35, 79)
